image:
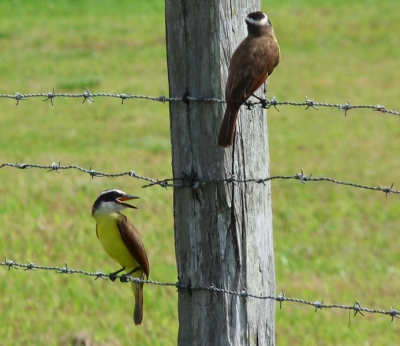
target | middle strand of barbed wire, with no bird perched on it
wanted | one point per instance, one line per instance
(193, 181)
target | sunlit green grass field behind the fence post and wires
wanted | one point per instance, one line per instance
(332, 243)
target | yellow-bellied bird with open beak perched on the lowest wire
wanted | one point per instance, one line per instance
(121, 241)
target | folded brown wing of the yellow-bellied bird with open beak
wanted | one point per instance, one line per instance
(131, 238)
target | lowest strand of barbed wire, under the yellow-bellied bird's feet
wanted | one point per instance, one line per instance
(318, 305)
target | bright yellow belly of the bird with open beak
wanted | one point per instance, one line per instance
(110, 238)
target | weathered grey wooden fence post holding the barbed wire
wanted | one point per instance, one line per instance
(223, 231)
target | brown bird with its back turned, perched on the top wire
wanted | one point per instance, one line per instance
(251, 64)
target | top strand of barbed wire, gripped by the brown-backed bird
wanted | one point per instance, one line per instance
(263, 103)
